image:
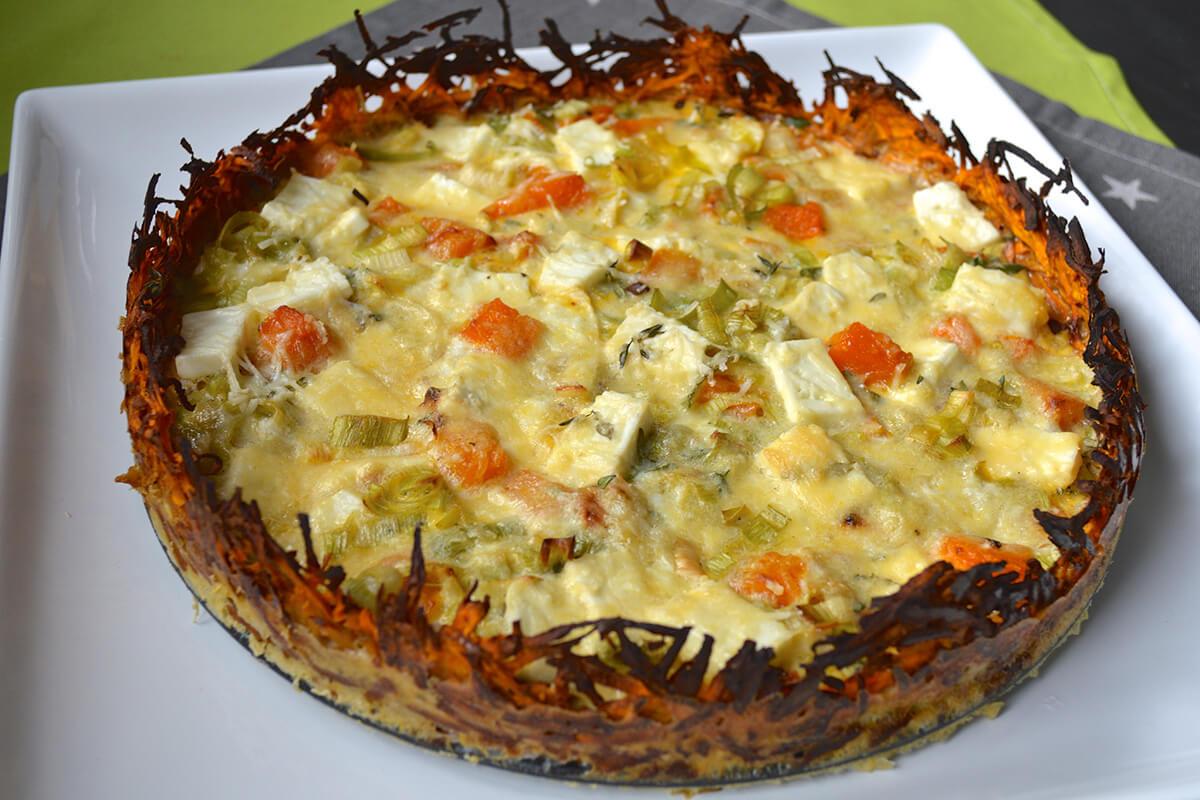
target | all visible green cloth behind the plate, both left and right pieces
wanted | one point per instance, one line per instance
(86, 41)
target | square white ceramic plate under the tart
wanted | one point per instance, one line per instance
(115, 688)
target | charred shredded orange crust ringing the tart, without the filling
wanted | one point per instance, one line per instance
(650, 708)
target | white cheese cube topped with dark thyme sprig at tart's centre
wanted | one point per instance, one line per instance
(674, 362)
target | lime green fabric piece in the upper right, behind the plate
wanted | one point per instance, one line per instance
(1021, 40)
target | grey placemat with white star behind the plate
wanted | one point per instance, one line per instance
(1153, 191)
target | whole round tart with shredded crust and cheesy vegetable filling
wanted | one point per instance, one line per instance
(632, 422)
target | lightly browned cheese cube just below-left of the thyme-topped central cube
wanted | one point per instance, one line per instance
(599, 442)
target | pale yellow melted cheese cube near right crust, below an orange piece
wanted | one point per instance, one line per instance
(1049, 460)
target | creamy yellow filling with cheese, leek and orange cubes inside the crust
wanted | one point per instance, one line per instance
(662, 362)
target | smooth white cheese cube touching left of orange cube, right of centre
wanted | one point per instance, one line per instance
(811, 384)
